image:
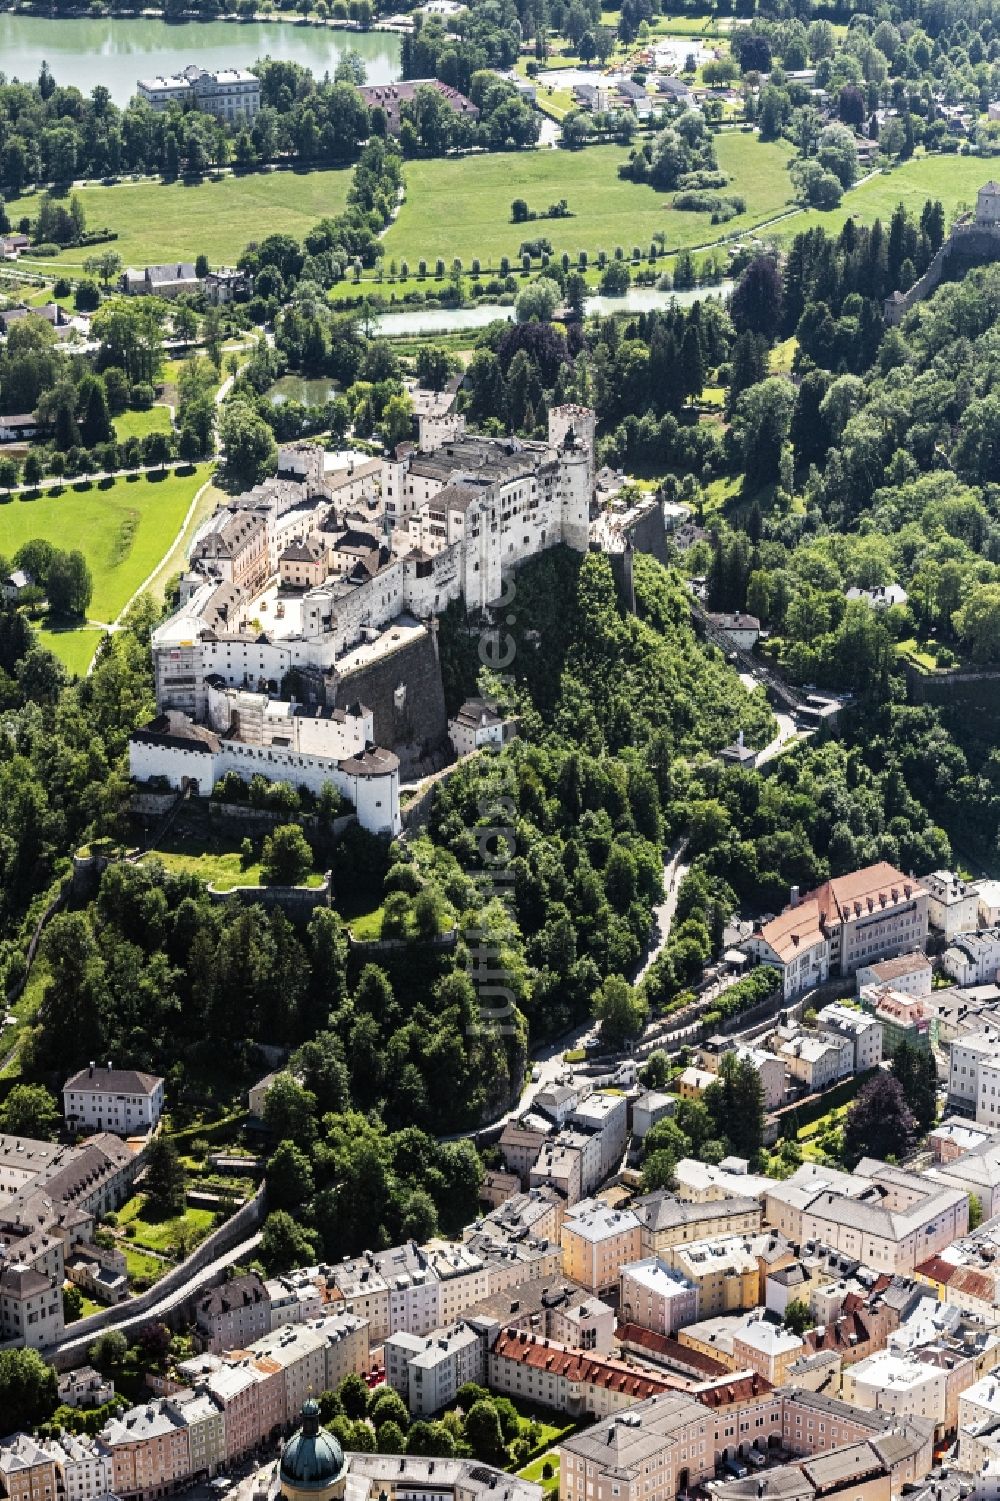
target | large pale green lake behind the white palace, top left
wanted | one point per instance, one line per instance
(85, 52)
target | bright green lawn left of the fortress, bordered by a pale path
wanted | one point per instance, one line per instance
(122, 529)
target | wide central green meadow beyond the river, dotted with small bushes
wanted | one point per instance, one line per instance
(606, 211)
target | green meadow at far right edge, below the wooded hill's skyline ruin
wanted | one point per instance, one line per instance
(953, 179)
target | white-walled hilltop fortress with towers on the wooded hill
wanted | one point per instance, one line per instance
(304, 645)
